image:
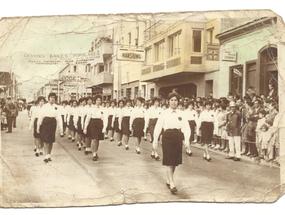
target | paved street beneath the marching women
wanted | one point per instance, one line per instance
(120, 176)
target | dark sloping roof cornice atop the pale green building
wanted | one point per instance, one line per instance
(245, 28)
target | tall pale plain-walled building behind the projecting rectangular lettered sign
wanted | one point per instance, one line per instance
(128, 59)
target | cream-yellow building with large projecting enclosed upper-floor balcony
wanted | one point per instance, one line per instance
(183, 55)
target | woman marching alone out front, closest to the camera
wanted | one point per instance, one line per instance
(175, 129)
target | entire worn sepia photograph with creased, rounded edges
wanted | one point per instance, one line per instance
(110, 109)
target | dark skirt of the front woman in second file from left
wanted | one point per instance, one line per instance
(94, 129)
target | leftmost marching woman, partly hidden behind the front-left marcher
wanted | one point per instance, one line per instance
(33, 124)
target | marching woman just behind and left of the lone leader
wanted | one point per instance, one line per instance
(151, 118)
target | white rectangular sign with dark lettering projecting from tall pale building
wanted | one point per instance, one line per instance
(125, 54)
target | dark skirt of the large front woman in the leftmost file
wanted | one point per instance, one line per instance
(47, 130)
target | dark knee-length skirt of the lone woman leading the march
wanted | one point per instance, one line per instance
(172, 147)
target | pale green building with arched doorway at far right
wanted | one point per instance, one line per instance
(249, 57)
